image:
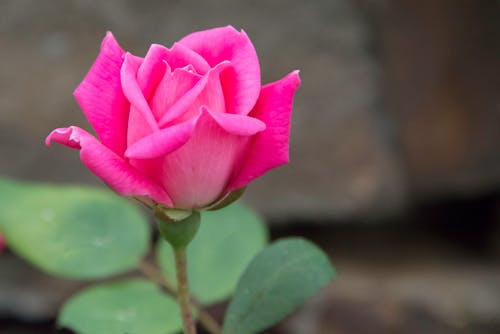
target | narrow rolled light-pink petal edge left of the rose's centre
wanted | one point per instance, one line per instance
(132, 90)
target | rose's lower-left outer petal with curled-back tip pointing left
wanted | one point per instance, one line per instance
(107, 165)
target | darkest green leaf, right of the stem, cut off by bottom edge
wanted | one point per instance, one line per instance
(277, 281)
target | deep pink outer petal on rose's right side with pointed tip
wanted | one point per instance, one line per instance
(270, 147)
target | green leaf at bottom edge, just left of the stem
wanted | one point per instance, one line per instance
(134, 306)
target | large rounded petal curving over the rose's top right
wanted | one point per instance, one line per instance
(242, 83)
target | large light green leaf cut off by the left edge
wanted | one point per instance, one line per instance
(72, 231)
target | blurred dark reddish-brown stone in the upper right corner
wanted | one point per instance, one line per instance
(443, 77)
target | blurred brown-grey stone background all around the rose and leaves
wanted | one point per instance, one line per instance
(395, 146)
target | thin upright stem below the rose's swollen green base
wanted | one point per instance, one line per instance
(183, 290)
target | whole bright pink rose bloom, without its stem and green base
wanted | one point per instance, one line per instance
(183, 126)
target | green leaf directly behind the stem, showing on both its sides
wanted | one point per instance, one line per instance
(226, 242)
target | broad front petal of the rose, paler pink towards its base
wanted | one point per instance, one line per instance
(197, 173)
